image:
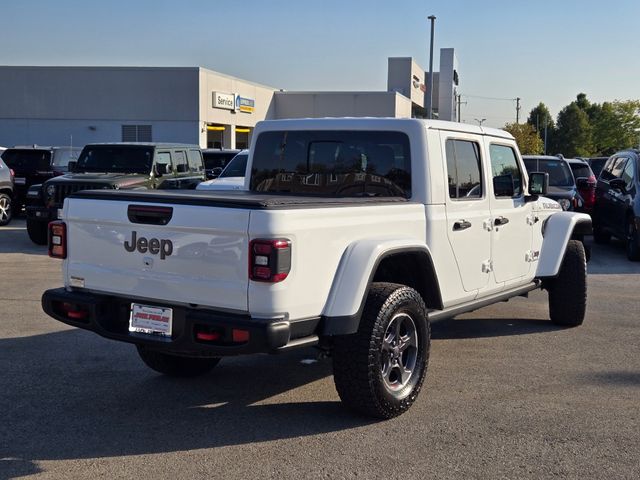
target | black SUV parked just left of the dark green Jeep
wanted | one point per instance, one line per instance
(34, 165)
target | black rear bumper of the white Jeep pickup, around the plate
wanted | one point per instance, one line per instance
(108, 316)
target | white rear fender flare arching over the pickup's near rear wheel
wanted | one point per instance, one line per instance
(405, 262)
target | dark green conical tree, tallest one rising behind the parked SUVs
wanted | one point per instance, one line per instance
(573, 136)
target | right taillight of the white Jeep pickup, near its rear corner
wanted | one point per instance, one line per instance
(269, 260)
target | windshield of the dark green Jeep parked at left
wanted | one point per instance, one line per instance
(116, 159)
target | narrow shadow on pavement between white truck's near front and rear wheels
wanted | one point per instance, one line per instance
(489, 327)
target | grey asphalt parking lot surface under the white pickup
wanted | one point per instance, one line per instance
(507, 395)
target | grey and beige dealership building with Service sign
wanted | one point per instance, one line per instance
(80, 105)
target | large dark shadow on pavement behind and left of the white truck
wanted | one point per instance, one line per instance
(73, 395)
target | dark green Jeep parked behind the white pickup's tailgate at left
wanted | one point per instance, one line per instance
(114, 166)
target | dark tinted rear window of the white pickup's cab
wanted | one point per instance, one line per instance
(332, 163)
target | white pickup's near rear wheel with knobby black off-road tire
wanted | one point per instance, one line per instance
(359, 359)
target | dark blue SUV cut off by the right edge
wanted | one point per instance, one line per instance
(617, 209)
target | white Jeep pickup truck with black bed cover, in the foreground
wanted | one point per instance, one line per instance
(352, 235)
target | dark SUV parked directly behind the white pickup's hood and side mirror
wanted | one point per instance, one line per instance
(562, 184)
